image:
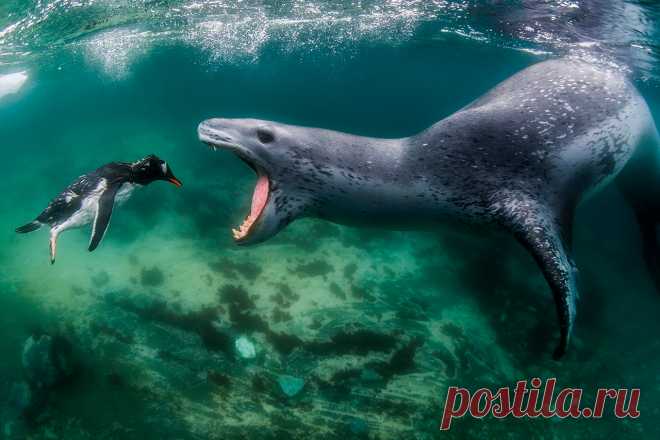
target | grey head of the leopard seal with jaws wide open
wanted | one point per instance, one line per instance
(270, 149)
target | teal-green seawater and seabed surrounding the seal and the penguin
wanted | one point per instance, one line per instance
(357, 332)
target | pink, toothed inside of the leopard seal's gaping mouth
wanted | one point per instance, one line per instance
(261, 190)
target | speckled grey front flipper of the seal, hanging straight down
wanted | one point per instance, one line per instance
(540, 231)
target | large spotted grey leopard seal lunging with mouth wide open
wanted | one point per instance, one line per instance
(521, 157)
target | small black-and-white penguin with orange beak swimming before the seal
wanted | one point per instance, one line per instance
(91, 198)
